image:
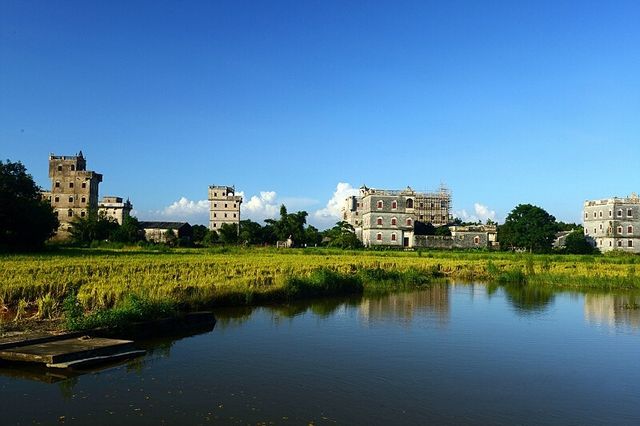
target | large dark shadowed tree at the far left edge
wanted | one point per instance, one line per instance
(26, 221)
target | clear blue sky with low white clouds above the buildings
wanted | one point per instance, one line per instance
(505, 102)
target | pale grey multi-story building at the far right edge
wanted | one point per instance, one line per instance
(613, 223)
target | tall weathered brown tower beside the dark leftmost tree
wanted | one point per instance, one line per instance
(74, 189)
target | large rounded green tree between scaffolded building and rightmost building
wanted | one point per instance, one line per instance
(528, 227)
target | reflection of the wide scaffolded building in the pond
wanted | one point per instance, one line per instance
(431, 302)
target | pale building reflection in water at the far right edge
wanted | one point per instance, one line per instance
(608, 309)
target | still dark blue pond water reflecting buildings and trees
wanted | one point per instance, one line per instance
(450, 354)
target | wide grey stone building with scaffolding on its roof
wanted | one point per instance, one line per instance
(388, 217)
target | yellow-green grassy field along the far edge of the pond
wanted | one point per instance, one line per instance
(36, 285)
